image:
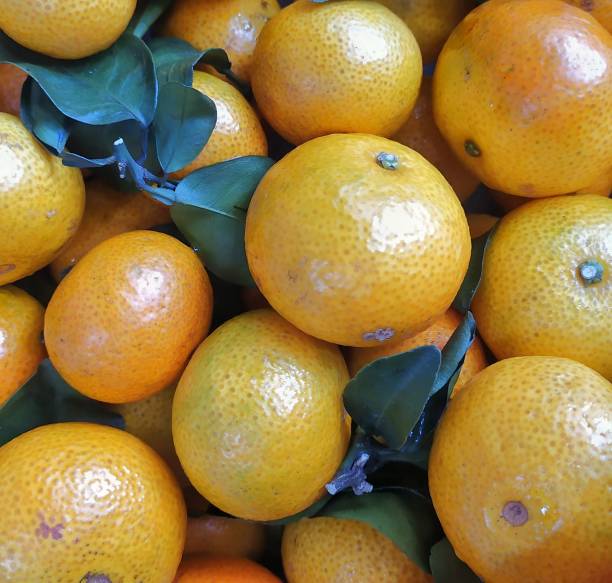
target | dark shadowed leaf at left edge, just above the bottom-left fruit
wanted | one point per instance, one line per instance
(47, 398)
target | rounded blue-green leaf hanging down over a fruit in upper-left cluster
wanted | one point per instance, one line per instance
(183, 123)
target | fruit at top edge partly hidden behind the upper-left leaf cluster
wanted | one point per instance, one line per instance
(233, 25)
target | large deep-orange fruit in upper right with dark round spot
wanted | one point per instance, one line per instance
(523, 94)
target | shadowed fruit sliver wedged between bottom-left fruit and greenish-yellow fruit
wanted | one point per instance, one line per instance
(150, 420)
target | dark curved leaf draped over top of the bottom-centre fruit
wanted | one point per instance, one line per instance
(407, 519)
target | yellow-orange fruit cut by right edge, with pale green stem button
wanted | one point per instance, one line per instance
(547, 282)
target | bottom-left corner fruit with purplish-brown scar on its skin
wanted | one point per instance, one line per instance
(85, 502)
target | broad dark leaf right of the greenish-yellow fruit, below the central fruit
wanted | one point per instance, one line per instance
(387, 396)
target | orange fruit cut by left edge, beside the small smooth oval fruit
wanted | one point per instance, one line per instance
(21, 347)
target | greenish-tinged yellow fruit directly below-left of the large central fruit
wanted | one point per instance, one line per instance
(261, 403)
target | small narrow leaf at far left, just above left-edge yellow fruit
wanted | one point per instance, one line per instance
(42, 118)
